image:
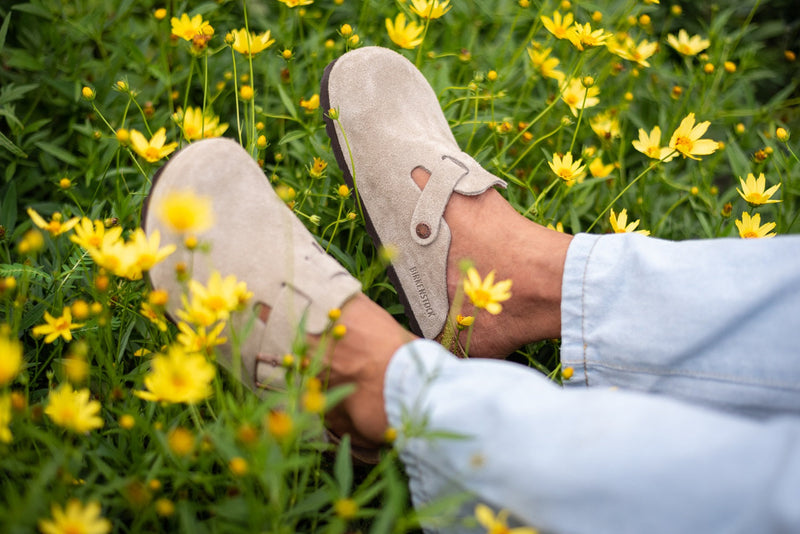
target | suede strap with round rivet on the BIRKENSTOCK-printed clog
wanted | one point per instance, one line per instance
(450, 173)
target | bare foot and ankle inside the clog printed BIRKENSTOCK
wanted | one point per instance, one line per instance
(487, 230)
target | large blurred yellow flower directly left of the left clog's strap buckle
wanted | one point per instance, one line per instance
(178, 377)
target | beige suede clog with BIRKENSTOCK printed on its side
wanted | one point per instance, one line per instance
(389, 122)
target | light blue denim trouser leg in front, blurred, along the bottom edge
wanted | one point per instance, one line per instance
(597, 460)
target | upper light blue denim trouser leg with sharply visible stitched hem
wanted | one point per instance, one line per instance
(713, 321)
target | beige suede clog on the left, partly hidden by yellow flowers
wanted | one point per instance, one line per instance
(259, 240)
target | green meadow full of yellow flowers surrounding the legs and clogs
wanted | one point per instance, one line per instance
(602, 116)
